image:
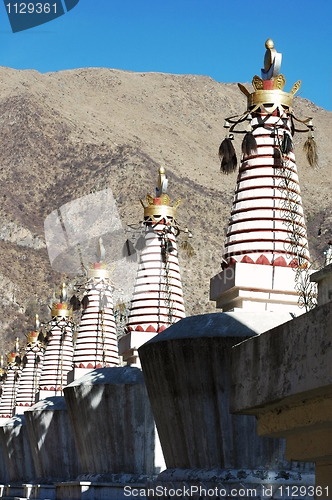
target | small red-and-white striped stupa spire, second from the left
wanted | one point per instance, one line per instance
(32, 367)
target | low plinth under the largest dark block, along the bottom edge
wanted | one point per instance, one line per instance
(231, 483)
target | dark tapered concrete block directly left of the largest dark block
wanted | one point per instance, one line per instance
(112, 421)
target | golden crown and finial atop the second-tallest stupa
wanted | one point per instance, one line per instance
(158, 207)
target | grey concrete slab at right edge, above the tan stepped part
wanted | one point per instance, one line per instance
(289, 363)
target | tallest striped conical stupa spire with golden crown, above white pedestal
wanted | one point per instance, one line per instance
(267, 224)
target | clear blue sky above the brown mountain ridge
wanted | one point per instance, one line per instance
(224, 40)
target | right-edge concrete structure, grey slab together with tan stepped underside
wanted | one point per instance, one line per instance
(284, 378)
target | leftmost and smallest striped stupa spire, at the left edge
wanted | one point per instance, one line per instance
(10, 386)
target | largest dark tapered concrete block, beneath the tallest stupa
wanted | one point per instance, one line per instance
(187, 372)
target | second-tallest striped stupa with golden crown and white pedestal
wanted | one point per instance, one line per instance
(157, 298)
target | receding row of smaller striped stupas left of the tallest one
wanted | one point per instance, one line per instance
(50, 360)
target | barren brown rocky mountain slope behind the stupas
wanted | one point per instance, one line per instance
(70, 133)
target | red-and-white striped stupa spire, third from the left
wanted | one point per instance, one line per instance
(58, 359)
